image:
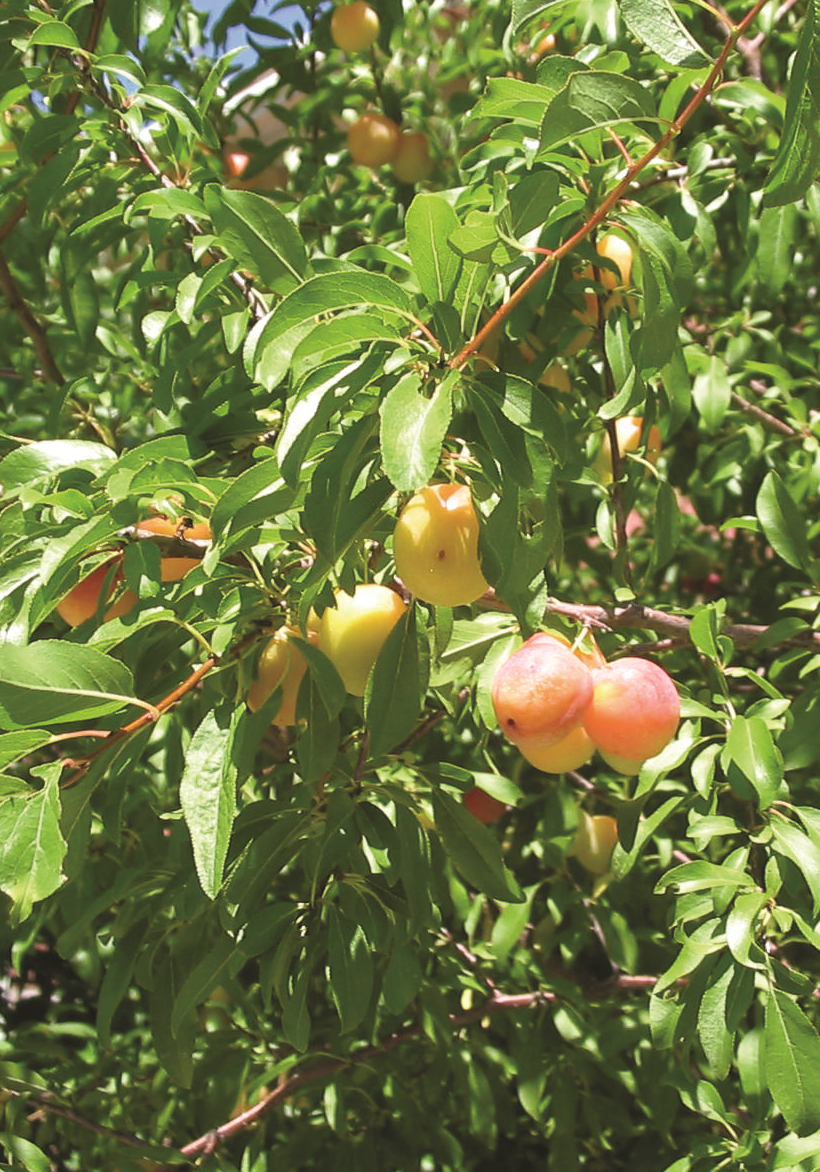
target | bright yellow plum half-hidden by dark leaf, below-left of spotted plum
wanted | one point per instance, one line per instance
(353, 632)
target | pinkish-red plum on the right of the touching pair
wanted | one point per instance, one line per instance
(635, 710)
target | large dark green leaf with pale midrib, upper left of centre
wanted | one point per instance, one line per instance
(255, 233)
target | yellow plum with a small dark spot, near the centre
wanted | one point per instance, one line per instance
(435, 546)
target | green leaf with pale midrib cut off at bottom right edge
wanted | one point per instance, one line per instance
(792, 1062)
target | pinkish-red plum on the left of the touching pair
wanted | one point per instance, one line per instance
(542, 693)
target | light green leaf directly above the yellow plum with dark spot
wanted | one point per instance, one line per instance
(413, 430)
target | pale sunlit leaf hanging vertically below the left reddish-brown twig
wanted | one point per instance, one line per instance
(208, 794)
